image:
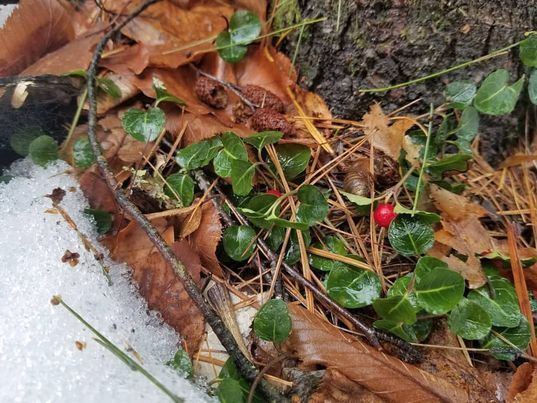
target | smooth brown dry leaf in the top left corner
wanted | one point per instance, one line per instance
(35, 28)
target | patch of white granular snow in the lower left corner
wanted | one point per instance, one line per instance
(39, 361)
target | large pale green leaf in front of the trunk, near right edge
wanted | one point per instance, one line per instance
(495, 96)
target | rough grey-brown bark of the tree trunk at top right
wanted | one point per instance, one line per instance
(381, 42)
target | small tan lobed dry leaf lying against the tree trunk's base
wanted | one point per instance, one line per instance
(383, 136)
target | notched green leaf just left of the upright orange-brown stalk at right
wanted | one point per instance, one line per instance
(503, 308)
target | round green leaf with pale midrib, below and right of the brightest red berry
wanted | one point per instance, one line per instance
(440, 291)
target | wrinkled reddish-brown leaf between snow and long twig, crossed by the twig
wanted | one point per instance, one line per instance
(156, 280)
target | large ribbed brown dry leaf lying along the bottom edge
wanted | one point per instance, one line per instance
(317, 343)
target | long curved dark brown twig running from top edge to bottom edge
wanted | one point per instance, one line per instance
(226, 338)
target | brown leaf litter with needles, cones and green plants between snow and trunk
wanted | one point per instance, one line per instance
(173, 42)
